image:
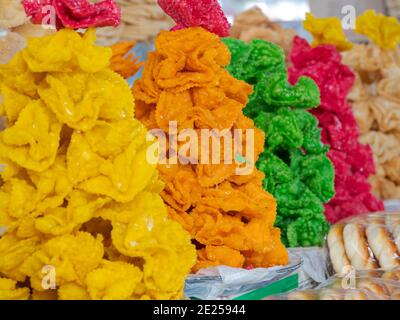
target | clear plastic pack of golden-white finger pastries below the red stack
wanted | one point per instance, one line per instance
(366, 242)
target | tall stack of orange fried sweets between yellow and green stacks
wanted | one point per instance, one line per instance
(230, 217)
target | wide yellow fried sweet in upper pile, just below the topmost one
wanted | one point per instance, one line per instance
(80, 99)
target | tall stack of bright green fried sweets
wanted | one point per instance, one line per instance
(297, 170)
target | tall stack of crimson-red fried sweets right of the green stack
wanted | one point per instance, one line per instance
(353, 162)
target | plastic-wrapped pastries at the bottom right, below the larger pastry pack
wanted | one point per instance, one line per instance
(364, 285)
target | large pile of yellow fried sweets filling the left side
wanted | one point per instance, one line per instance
(80, 214)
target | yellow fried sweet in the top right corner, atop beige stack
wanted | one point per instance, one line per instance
(383, 31)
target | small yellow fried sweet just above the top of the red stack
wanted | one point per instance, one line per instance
(327, 31)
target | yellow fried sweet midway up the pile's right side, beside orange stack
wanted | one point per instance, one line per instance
(109, 162)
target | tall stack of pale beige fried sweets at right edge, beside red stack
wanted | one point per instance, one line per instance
(376, 103)
